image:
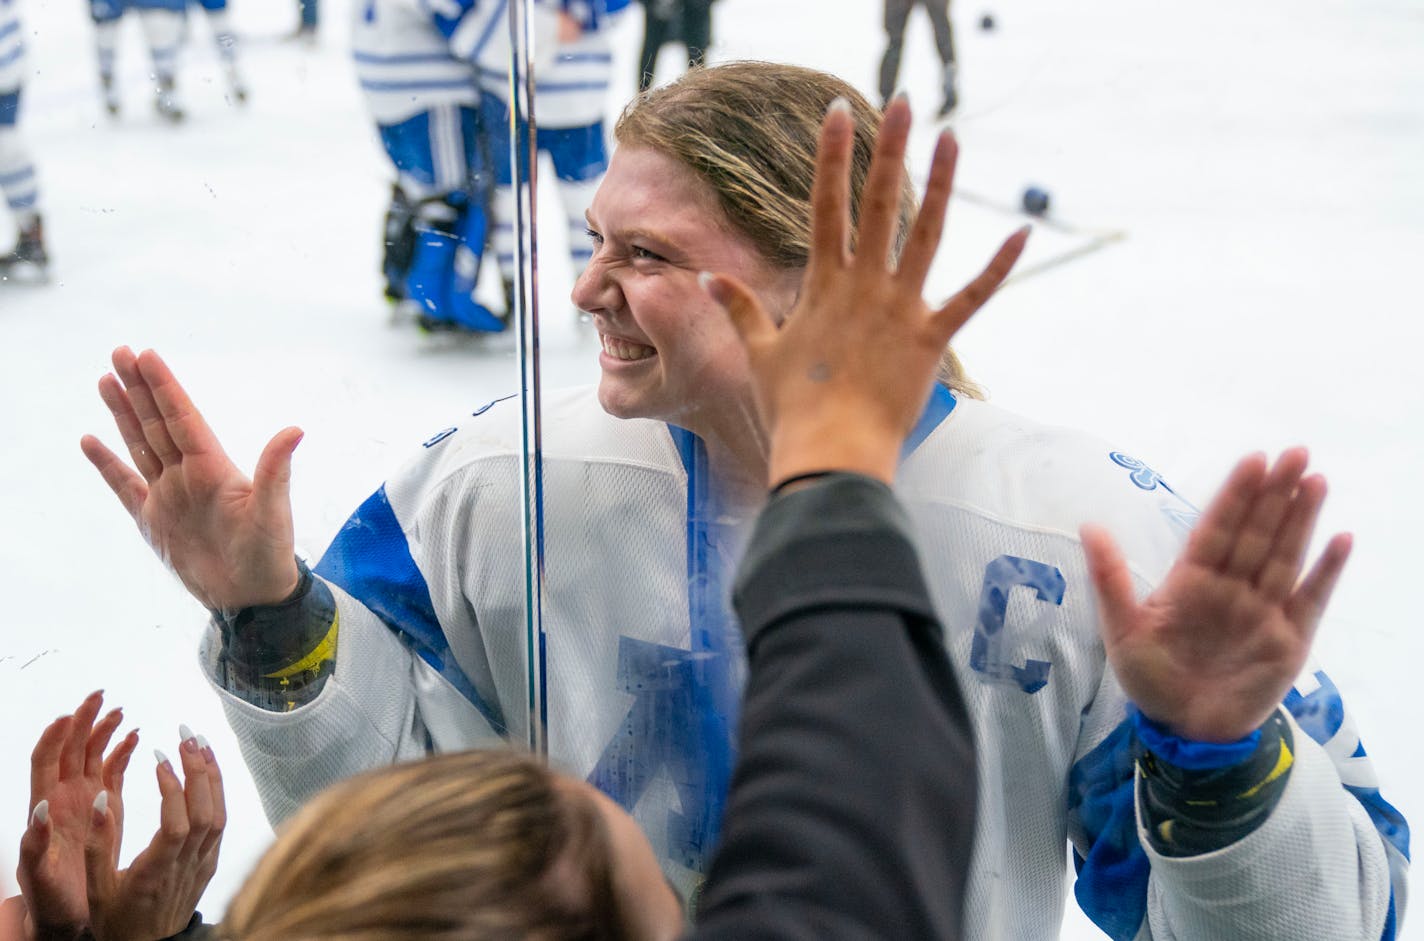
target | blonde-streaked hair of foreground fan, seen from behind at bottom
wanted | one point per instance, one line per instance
(468, 846)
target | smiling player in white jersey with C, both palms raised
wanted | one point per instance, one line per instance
(1261, 815)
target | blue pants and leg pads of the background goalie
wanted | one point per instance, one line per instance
(436, 228)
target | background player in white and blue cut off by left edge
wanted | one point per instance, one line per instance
(18, 177)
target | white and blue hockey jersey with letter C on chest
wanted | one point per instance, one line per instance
(643, 664)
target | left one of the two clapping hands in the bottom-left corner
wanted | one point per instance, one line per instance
(68, 774)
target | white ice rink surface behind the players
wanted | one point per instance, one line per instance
(1238, 219)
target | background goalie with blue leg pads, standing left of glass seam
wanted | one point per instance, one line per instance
(415, 69)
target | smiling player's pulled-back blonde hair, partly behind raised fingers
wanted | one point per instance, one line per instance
(750, 132)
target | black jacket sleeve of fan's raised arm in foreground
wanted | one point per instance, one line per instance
(852, 806)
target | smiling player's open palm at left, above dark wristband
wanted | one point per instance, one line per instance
(229, 537)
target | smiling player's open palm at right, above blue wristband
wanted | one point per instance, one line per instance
(1217, 647)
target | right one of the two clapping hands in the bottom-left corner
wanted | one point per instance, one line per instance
(160, 890)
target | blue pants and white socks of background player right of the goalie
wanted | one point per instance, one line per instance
(580, 159)
